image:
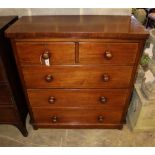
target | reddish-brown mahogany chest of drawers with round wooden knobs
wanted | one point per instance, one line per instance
(77, 71)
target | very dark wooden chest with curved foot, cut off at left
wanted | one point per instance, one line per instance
(13, 108)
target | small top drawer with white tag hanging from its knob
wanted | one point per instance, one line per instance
(43, 53)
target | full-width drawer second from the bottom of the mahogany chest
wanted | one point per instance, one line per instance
(106, 98)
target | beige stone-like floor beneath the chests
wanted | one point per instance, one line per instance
(10, 136)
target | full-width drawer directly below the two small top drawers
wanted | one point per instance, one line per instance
(77, 76)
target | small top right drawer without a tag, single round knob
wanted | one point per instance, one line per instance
(108, 53)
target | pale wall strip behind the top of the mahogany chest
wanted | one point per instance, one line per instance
(64, 11)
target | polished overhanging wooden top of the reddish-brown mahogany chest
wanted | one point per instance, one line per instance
(77, 26)
